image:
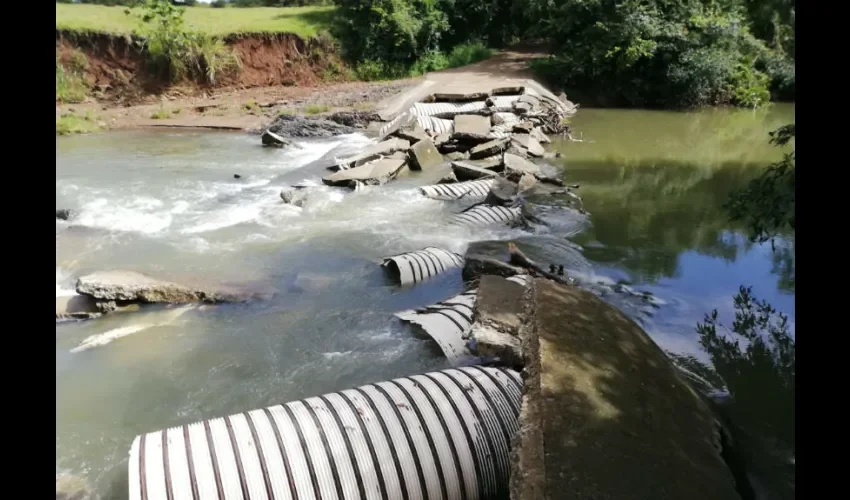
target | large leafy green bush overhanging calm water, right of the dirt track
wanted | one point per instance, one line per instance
(658, 54)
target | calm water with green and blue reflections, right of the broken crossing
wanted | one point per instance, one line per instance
(655, 184)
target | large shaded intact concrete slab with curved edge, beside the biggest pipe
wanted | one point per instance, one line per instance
(613, 407)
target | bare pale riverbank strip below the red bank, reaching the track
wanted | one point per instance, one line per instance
(233, 108)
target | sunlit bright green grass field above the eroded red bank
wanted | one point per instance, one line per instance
(303, 21)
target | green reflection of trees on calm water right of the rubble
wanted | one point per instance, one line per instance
(655, 183)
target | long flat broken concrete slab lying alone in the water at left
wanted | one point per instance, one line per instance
(130, 286)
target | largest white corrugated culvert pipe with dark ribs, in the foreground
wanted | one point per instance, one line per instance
(440, 435)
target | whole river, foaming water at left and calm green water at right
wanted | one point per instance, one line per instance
(167, 203)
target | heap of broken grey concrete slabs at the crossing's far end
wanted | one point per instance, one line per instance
(481, 134)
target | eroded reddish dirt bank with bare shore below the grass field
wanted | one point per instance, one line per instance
(279, 73)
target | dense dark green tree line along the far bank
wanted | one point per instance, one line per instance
(653, 53)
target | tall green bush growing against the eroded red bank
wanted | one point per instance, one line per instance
(176, 53)
